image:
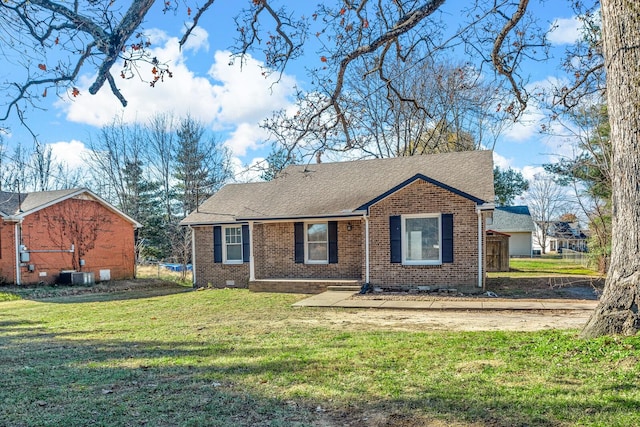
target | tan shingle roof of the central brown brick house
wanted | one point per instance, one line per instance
(346, 188)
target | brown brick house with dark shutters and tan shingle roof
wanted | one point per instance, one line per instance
(399, 222)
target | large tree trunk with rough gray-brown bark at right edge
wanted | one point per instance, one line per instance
(617, 312)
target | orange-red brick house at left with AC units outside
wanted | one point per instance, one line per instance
(45, 233)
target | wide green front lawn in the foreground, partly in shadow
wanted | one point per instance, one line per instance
(234, 358)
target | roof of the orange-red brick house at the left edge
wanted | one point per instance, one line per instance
(18, 205)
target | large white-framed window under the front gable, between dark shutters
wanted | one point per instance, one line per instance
(421, 239)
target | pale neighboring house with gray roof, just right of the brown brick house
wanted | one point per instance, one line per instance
(515, 221)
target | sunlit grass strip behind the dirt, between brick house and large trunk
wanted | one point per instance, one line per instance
(546, 266)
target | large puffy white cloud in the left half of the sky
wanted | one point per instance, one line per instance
(228, 99)
